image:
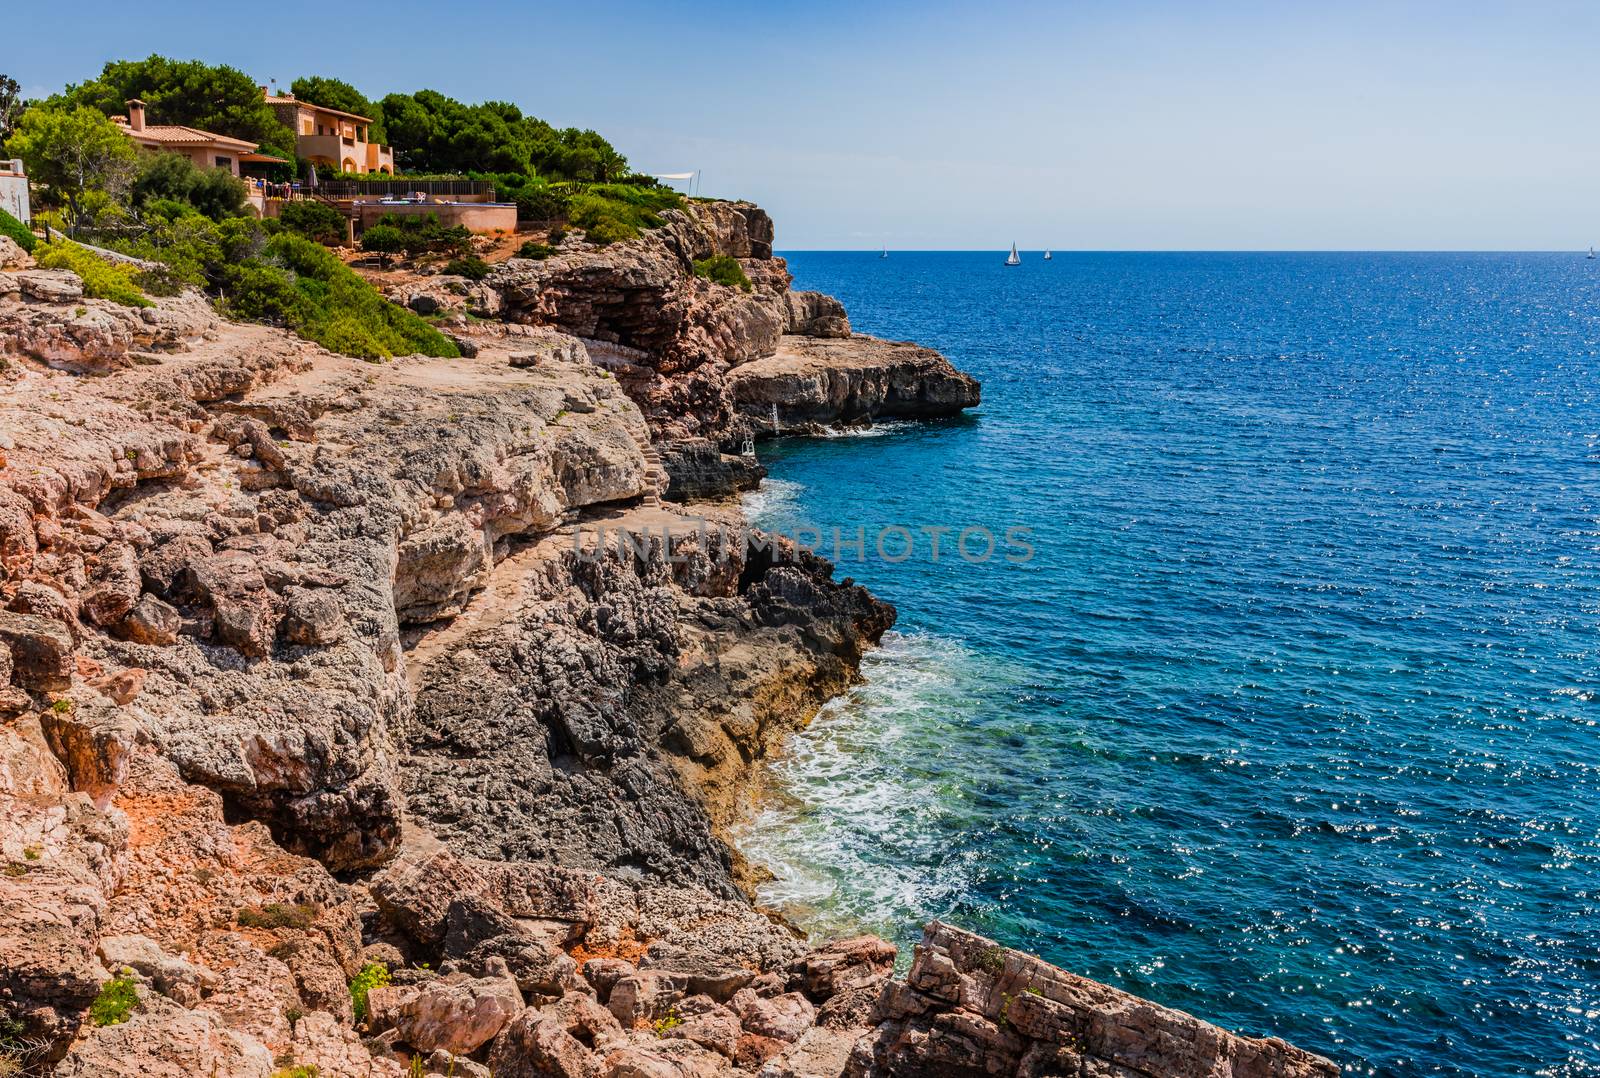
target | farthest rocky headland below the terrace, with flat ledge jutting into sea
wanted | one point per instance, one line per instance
(705, 361)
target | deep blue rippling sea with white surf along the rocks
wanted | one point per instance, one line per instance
(1294, 719)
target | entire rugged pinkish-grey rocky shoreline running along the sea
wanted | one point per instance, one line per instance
(305, 685)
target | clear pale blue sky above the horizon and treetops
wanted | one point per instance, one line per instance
(970, 126)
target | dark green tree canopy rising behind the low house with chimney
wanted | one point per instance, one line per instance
(186, 92)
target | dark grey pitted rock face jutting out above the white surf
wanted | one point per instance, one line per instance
(559, 735)
